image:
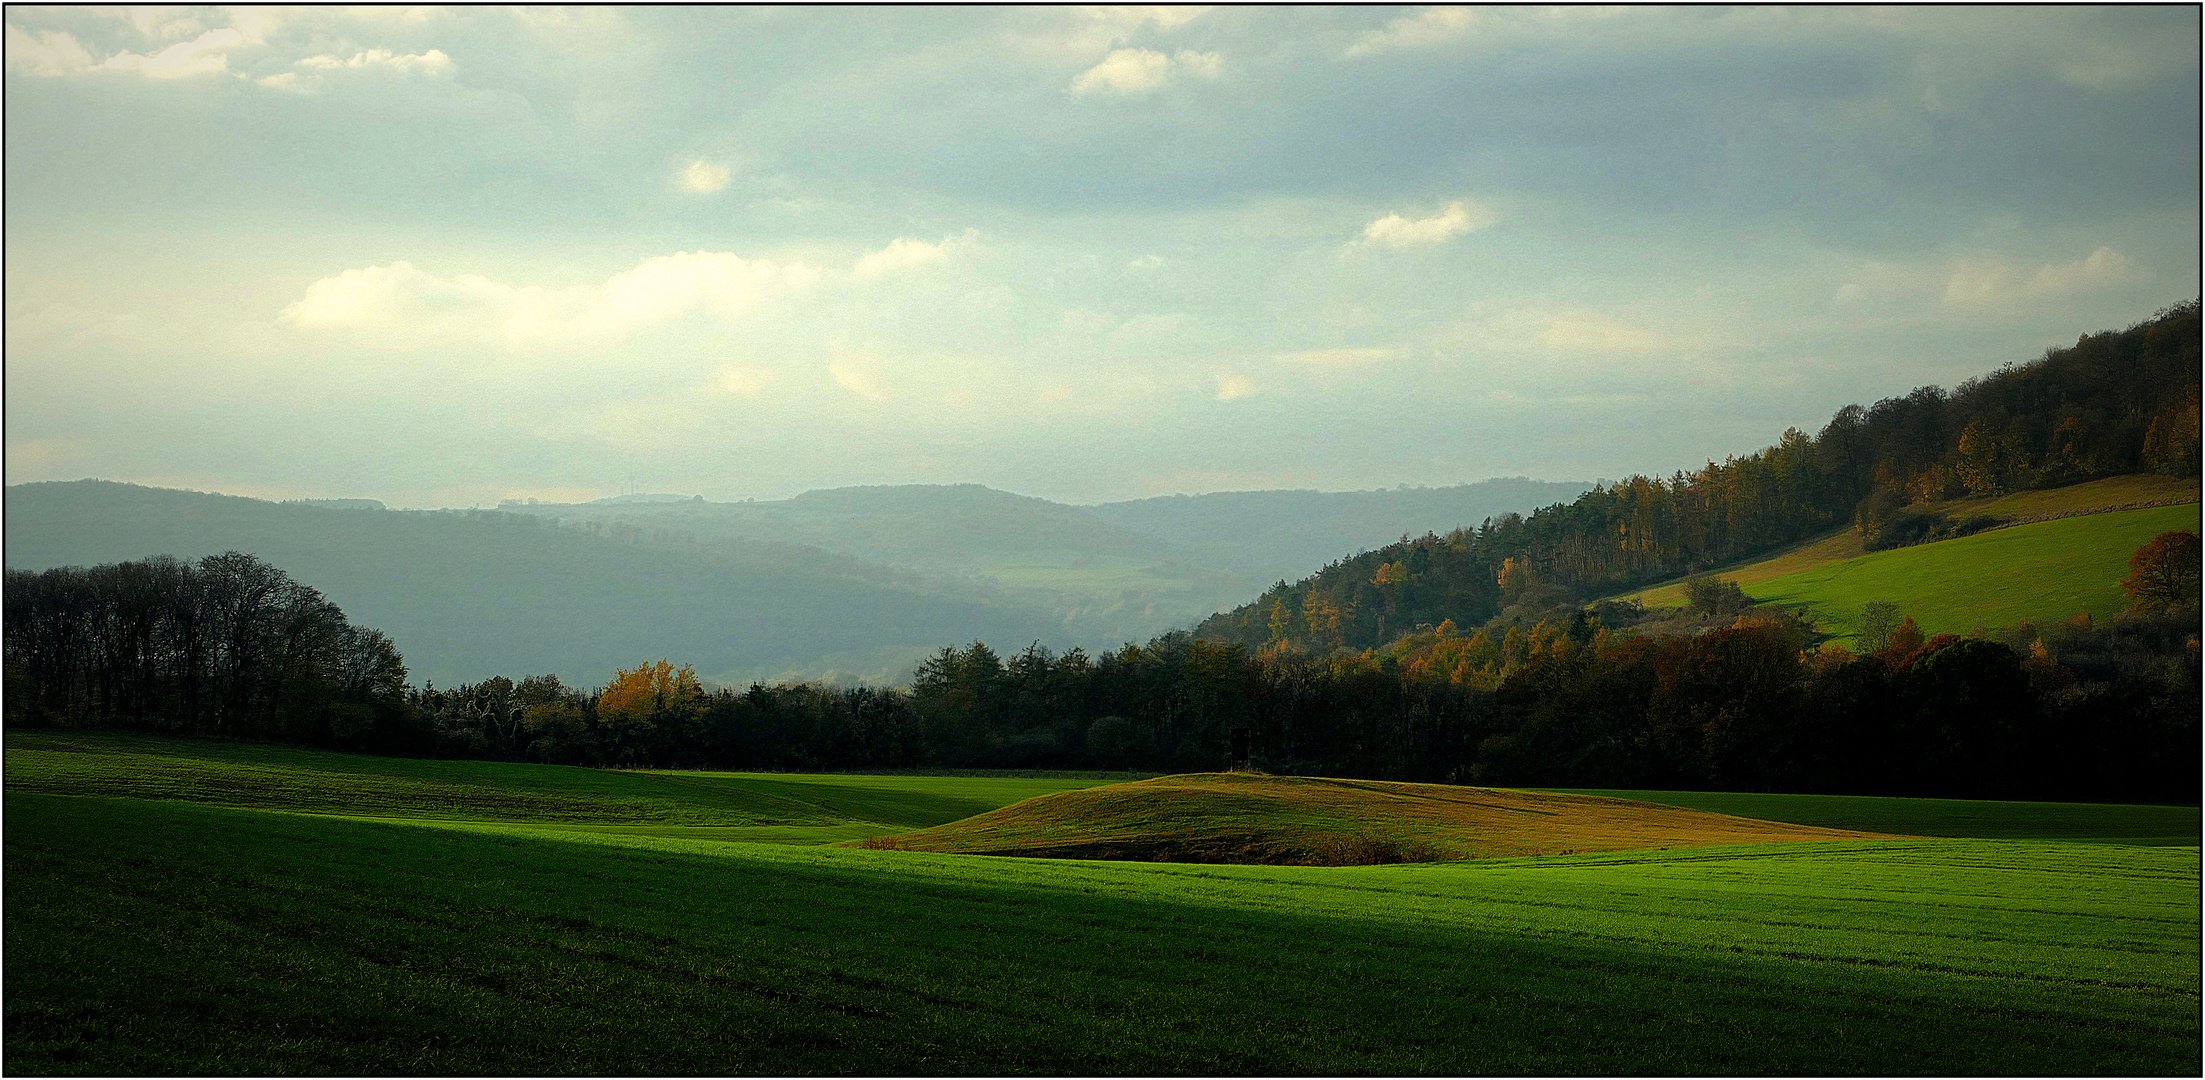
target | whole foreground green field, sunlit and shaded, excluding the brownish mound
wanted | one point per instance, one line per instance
(186, 936)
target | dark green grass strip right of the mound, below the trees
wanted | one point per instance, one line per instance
(2096, 823)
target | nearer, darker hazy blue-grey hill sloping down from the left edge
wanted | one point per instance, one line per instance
(475, 594)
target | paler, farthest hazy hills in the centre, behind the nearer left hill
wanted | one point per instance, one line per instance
(1099, 576)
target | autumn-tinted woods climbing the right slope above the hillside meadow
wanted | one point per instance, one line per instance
(2111, 404)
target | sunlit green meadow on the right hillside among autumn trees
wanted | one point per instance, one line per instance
(2045, 572)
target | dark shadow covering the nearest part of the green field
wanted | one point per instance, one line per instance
(153, 938)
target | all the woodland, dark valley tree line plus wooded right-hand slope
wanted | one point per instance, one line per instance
(1474, 658)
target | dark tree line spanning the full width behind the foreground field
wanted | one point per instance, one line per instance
(2080, 711)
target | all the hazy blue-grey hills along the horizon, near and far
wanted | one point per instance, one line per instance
(852, 583)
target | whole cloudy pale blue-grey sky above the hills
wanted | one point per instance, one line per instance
(451, 257)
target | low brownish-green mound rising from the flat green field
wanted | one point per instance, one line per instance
(1311, 821)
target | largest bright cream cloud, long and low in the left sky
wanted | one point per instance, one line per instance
(411, 303)
